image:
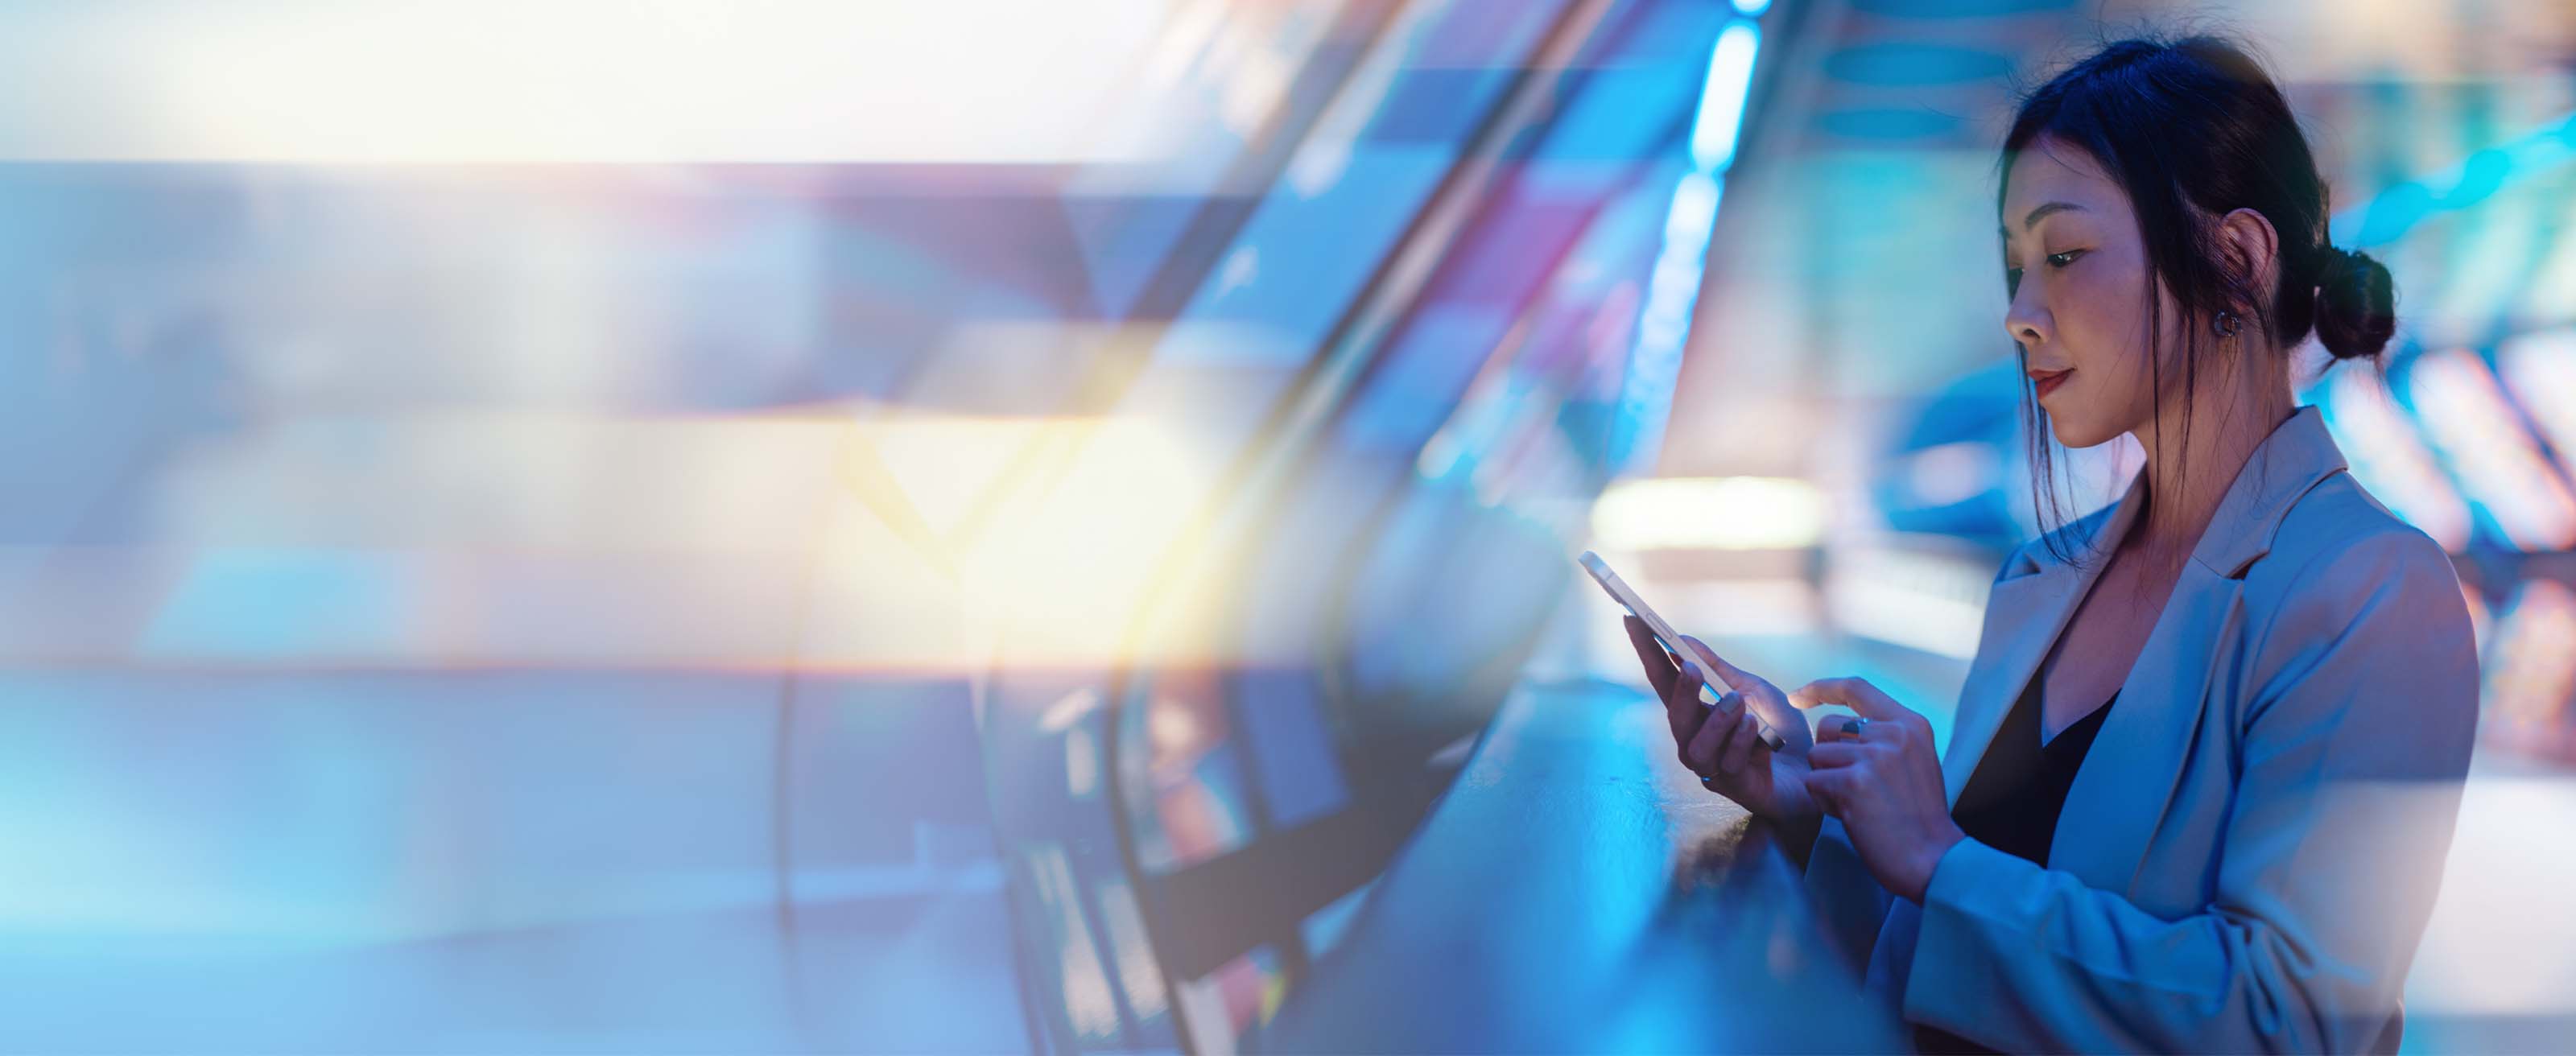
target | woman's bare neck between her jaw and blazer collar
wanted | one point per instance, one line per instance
(2186, 480)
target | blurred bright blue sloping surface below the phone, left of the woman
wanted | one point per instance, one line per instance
(1580, 892)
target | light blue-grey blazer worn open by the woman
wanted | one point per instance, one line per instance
(2253, 849)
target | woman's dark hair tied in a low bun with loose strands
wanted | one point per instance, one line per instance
(2193, 130)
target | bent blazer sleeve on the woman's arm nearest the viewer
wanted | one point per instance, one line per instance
(2356, 738)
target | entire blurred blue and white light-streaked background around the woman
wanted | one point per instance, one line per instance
(1047, 527)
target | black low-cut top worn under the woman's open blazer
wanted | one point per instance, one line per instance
(2013, 802)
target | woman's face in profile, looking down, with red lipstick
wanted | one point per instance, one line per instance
(2078, 279)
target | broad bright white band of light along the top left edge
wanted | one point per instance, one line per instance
(573, 81)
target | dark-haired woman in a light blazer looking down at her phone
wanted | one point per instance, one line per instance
(2211, 748)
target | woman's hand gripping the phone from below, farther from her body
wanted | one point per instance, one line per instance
(1725, 746)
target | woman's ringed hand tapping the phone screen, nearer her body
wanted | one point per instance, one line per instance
(1884, 784)
